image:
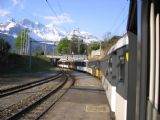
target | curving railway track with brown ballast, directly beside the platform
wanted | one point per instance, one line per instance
(45, 100)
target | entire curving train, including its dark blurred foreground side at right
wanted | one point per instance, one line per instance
(130, 71)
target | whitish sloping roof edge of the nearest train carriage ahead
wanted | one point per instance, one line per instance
(120, 43)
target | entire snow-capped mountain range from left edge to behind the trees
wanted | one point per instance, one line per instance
(40, 32)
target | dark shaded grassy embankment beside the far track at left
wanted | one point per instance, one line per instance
(14, 63)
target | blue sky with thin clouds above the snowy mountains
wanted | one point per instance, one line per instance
(98, 17)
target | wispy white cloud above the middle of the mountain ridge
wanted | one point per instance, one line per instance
(61, 19)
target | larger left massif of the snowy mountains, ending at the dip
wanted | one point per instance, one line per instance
(37, 32)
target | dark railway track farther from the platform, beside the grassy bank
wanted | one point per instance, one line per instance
(8, 91)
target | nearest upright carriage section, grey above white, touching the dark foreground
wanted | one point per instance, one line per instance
(121, 84)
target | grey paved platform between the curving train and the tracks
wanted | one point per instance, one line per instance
(85, 100)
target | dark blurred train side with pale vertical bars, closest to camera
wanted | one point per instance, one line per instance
(143, 94)
